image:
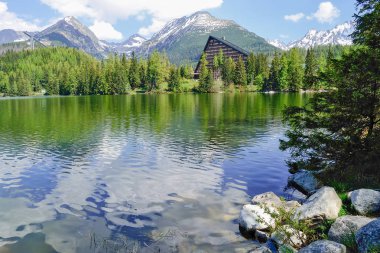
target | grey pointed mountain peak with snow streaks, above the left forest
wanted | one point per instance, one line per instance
(71, 33)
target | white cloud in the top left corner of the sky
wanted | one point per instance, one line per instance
(9, 20)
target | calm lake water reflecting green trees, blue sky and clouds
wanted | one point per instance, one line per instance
(157, 173)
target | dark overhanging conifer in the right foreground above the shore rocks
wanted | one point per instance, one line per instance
(340, 129)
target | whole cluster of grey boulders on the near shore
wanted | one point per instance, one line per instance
(347, 233)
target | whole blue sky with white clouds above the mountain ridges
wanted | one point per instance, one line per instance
(116, 20)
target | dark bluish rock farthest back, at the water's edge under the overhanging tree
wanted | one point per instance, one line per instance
(305, 181)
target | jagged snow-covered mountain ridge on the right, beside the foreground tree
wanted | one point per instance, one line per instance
(340, 35)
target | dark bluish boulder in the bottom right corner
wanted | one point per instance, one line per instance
(368, 237)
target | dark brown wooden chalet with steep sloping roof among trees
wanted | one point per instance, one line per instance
(212, 48)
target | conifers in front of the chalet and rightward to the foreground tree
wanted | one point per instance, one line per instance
(287, 71)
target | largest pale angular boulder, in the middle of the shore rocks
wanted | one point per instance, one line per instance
(324, 204)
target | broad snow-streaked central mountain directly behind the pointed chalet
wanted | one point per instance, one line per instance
(183, 39)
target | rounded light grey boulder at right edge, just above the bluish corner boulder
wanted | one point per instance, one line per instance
(365, 201)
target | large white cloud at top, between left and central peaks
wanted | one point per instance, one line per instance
(111, 11)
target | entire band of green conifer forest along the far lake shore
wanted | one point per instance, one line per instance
(67, 71)
